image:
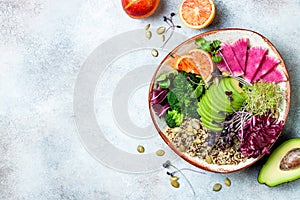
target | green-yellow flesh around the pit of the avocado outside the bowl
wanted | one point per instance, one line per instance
(271, 174)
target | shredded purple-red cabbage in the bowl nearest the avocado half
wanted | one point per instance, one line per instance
(258, 134)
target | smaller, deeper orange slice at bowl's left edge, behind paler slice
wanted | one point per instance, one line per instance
(186, 63)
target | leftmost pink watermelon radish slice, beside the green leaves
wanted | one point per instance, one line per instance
(229, 58)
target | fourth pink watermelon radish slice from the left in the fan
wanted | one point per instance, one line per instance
(267, 65)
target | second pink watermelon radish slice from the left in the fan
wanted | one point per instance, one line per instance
(239, 48)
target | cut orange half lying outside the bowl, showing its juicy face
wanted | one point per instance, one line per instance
(197, 14)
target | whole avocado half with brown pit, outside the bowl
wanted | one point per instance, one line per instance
(283, 165)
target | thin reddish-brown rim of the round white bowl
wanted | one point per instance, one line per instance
(186, 157)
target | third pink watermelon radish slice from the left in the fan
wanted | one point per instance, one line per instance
(255, 57)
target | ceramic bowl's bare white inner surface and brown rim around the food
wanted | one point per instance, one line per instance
(229, 35)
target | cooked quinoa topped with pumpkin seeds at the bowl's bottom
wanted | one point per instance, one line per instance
(192, 138)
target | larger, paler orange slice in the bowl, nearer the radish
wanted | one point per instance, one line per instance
(203, 62)
